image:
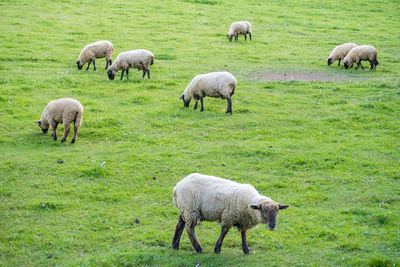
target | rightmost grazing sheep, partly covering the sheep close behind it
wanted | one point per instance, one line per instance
(359, 53)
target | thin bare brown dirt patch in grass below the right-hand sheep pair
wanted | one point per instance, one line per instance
(296, 76)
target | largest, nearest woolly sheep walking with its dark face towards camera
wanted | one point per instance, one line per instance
(207, 198)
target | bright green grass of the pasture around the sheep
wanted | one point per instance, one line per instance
(329, 149)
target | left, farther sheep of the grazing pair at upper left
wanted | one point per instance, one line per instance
(95, 50)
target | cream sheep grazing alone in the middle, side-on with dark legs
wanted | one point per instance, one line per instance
(214, 84)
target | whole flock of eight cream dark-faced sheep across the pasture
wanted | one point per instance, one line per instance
(198, 197)
